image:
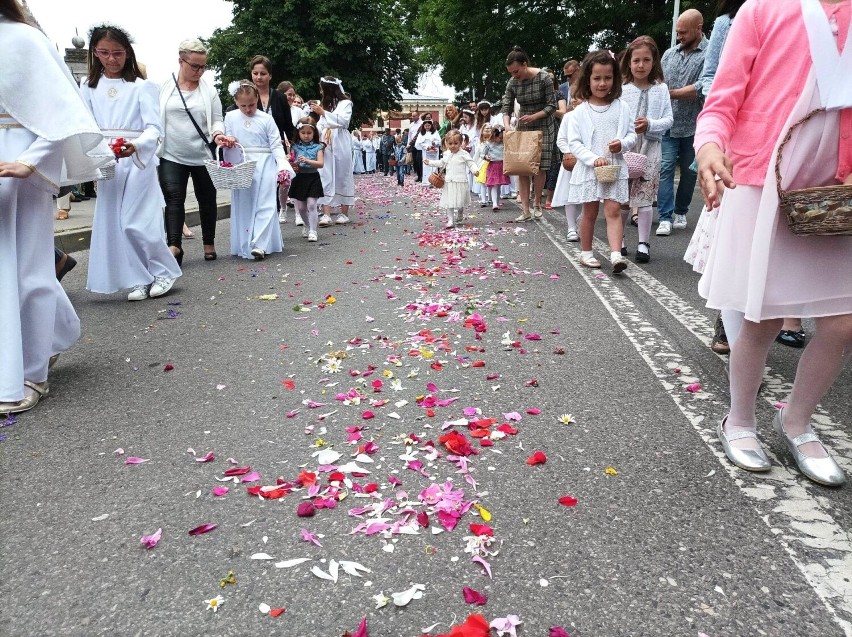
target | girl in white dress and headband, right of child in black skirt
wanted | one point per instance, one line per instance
(338, 182)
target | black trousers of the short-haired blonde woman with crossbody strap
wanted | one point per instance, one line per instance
(174, 179)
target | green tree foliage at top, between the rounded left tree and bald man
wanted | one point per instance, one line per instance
(471, 38)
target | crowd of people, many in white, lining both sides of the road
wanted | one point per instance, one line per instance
(615, 133)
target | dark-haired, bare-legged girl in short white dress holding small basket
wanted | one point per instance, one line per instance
(600, 130)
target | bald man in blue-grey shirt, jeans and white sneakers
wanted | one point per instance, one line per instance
(681, 69)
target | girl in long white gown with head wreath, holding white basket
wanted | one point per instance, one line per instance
(254, 223)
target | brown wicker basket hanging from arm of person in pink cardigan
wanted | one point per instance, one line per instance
(822, 210)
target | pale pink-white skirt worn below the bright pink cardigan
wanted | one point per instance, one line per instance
(756, 265)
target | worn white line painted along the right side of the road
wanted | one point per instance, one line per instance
(782, 497)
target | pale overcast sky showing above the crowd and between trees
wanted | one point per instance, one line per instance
(157, 30)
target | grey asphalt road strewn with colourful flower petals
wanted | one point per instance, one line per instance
(665, 538)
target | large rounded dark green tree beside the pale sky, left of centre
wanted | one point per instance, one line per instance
(359, 41)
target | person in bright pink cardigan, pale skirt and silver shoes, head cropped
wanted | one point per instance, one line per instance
(791, 57)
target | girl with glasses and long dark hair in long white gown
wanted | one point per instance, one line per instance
(128, 245)
